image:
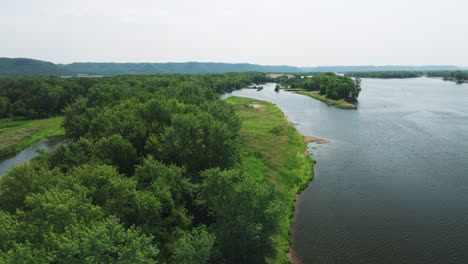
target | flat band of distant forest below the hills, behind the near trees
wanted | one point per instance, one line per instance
(34, 97)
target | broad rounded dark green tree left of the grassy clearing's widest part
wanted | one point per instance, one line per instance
(198, 141)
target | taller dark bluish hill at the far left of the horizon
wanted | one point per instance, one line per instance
(26, 67)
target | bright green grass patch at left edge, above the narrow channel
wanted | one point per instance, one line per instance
(16, 135)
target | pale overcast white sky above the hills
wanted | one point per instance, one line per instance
(293, 32)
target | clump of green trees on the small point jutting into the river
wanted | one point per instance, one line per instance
(331, 85)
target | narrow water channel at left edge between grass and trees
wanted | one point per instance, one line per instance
(28, 153)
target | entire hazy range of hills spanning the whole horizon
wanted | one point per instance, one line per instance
(25, 67)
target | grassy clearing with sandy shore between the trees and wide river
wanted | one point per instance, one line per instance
(274, 151)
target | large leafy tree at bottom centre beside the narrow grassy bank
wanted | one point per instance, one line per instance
(246, 213)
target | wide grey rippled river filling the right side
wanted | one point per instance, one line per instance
(392, 187)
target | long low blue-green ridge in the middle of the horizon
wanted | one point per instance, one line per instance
(93, 68)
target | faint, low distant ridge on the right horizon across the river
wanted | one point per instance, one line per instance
(378, 68)
